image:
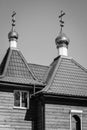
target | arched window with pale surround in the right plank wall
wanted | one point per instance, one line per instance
(76, 120)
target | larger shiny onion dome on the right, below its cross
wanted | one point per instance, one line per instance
(62, 40)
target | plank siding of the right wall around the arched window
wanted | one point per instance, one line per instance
(57, 117)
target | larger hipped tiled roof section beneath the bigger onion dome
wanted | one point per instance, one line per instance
(66, 77)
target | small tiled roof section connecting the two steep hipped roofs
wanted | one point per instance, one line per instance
(40, 71)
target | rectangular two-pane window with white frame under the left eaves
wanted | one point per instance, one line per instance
(21, 99)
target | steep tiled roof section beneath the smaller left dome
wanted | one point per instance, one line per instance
(14, 68)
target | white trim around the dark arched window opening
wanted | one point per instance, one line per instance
(75, 112)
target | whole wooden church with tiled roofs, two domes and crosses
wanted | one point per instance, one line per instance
(38, 97)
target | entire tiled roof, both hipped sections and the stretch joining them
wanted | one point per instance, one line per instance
(63, 77)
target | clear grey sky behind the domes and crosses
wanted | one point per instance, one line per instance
(38, 25)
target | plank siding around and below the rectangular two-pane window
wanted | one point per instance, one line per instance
(11, 118)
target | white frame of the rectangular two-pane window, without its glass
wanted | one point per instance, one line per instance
(21, 107)
